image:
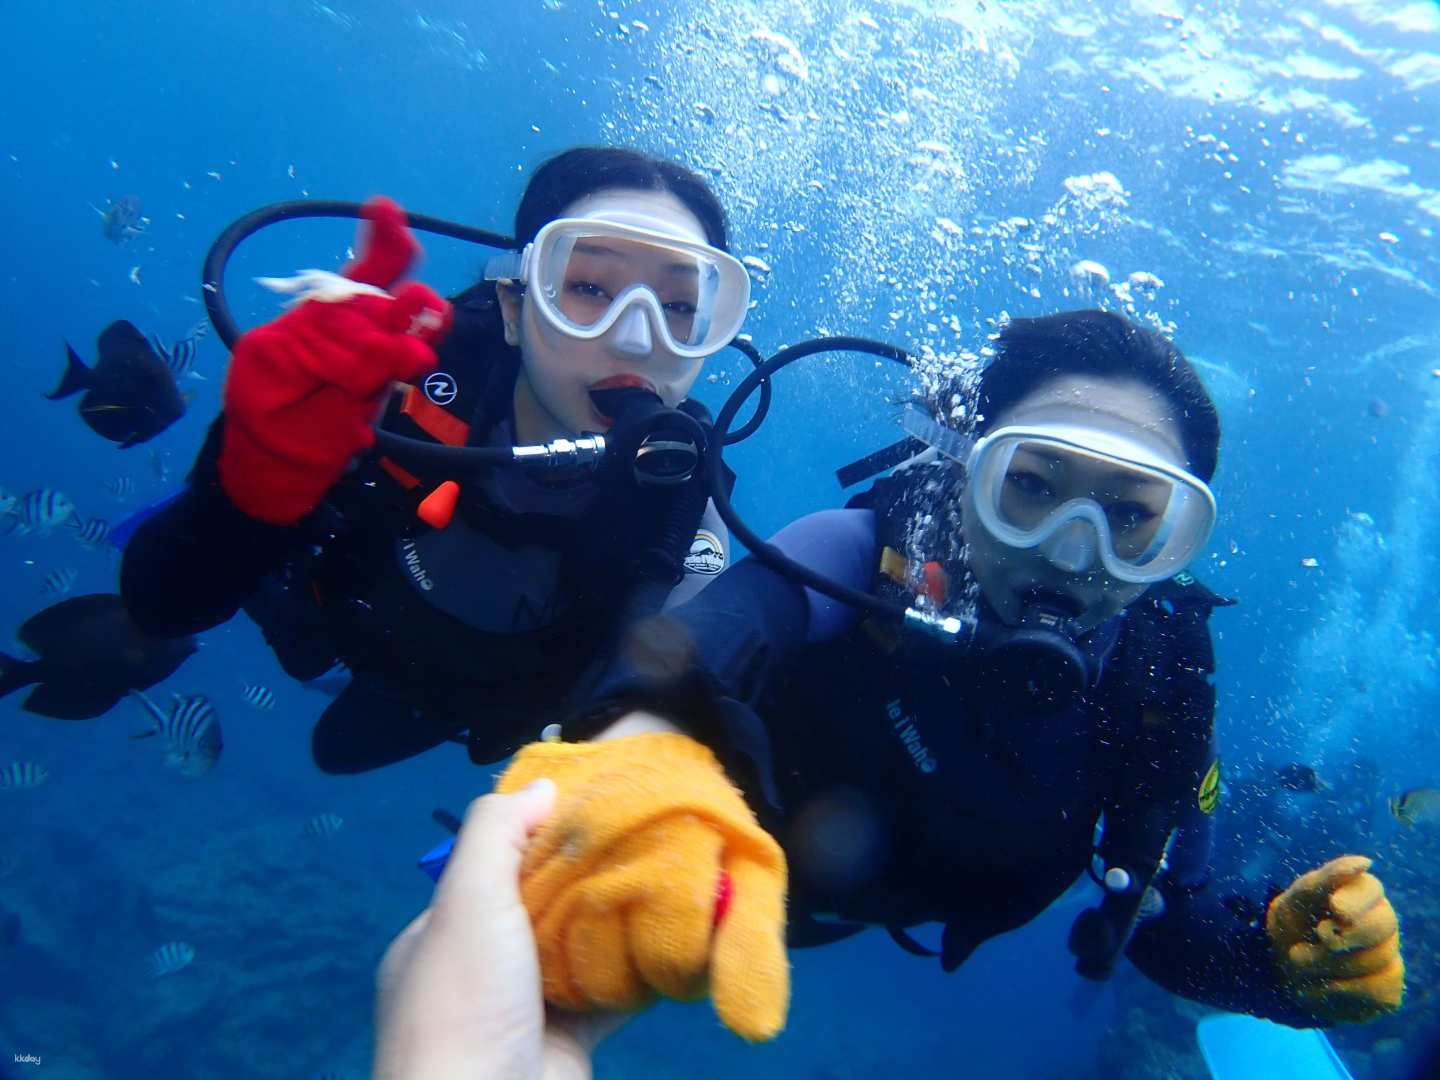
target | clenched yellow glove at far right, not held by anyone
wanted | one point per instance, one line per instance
(1336, 942)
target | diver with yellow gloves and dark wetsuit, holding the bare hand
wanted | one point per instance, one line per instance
(1065, 726)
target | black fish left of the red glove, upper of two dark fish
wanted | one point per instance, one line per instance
(130, 395)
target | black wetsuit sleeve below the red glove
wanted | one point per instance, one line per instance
(192, 565)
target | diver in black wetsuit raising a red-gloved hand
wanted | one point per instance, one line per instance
(473, 606)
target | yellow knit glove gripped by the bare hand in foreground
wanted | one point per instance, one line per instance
(654, 878)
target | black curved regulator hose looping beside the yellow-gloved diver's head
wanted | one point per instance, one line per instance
(768, 554)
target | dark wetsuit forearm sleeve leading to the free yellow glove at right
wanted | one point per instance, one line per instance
(1210, 942)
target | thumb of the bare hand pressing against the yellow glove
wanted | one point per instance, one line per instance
(493, 839)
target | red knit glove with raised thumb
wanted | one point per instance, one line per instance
(305, 391)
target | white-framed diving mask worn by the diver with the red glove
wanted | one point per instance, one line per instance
(585, 274)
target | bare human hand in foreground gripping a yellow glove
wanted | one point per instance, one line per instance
(460, 987)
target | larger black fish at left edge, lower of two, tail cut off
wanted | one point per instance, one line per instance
(90, 657)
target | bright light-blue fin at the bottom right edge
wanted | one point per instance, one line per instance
(1241, 1048)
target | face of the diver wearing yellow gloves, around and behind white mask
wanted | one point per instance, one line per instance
(1038, 482)
